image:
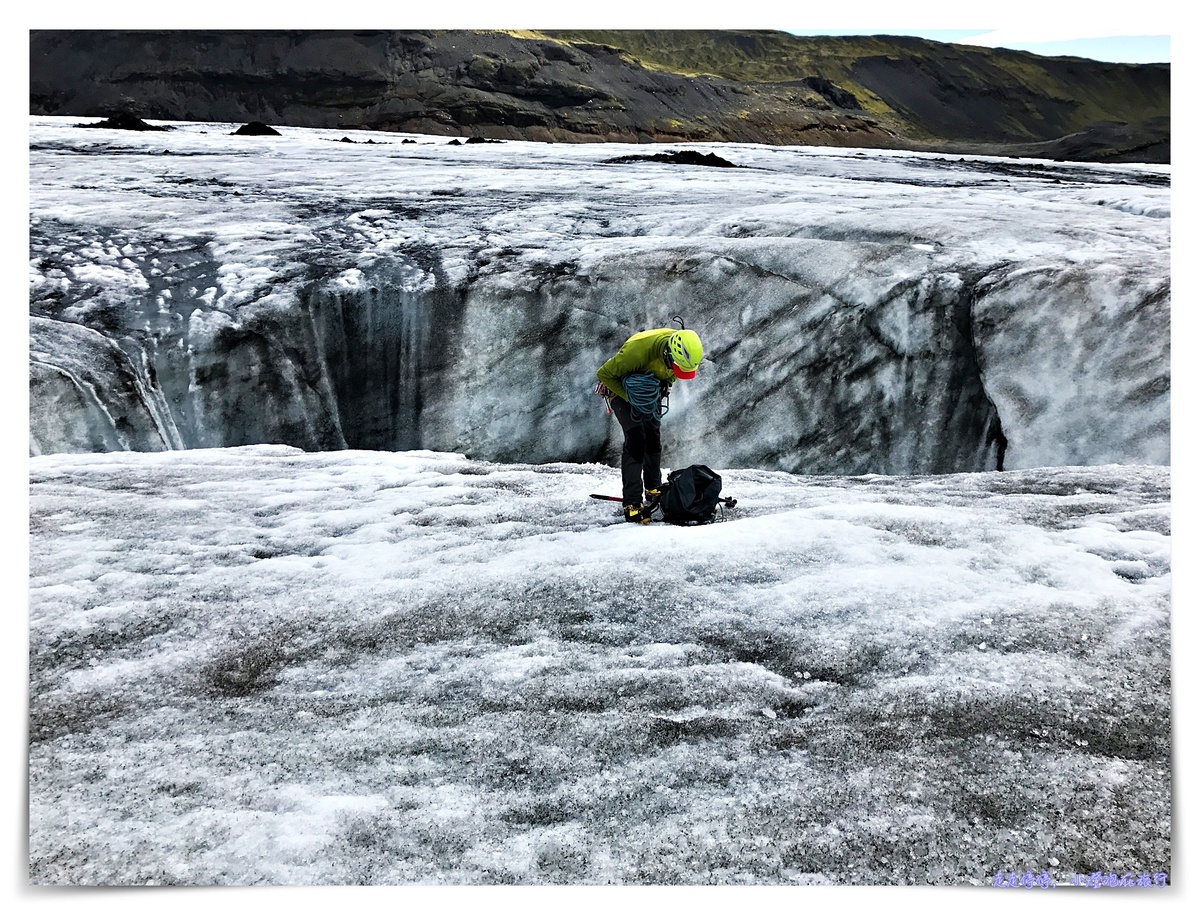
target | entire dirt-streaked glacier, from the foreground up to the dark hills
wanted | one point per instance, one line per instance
(410, 650)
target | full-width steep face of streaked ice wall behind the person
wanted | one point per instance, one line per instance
(812, 367)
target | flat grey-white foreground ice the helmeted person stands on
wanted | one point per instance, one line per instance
(261, 666)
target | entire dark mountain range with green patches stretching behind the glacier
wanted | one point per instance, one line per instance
(638, 87)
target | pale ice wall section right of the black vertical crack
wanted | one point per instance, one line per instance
(1077, 361)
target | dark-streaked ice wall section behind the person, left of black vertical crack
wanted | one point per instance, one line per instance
(812, 366)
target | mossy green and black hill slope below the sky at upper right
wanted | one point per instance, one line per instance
(923, 89)
